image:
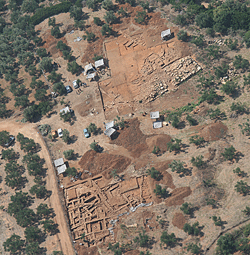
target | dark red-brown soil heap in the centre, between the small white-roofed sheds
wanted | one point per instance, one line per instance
(132, 138)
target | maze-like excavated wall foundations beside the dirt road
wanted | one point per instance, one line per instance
(95, 206)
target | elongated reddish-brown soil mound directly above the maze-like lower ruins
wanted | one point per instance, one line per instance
(97, 163)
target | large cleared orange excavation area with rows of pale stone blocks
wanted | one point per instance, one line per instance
(143, 67)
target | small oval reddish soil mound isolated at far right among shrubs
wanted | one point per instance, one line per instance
(214, 131)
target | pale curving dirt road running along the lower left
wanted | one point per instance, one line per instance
(51, 182)
